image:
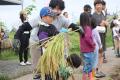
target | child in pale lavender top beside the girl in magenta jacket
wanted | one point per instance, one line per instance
(98, 50)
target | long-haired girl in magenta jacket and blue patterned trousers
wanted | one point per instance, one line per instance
(87, 46)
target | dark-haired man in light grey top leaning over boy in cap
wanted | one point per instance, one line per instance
(59, 21)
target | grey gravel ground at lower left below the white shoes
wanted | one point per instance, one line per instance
(12, 69)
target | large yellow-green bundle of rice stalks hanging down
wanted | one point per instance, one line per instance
(53, 57)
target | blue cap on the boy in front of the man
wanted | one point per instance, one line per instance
(46, 11)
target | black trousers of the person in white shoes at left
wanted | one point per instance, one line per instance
(23, 51)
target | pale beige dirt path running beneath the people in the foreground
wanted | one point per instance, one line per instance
(108, 68)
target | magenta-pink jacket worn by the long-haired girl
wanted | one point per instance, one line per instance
(86, 43)
